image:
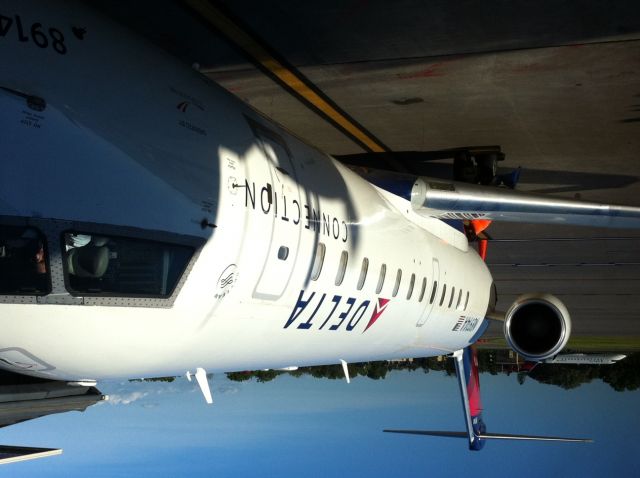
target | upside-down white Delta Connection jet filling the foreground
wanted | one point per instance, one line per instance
(152, 224)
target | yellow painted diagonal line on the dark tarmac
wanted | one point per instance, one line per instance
(217, 19)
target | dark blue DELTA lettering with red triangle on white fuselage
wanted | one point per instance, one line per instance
(321, 311)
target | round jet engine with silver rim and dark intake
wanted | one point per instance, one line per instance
(537, 326)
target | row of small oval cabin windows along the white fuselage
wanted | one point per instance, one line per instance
(449, 301)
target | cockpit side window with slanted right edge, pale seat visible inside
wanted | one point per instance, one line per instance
(121, 266)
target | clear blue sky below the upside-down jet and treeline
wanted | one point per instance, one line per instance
(312, 427)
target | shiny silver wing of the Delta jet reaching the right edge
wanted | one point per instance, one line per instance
(455, 200)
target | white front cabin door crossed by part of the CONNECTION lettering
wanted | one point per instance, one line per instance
(286, 214)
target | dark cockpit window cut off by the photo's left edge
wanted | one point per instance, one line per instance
(24, 268)
